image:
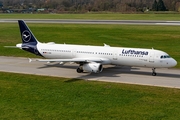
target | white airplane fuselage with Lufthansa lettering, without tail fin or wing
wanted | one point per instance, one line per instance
(115, 55)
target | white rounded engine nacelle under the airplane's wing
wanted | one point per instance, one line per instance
(92, 67)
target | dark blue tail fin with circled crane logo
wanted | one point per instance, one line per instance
(29, 42)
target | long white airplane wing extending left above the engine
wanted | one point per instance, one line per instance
(78, 60)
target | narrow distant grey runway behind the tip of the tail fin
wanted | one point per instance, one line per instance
(82, 21)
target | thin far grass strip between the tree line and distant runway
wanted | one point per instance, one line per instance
(107, 16)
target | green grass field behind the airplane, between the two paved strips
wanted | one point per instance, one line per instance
(164, 38)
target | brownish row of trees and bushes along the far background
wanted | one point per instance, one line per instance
(93, 5)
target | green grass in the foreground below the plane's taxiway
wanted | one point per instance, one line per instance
(29, 97)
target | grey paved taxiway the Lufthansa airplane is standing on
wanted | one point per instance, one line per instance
(130, 75)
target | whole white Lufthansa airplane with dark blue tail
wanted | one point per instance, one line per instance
(92, 58)
